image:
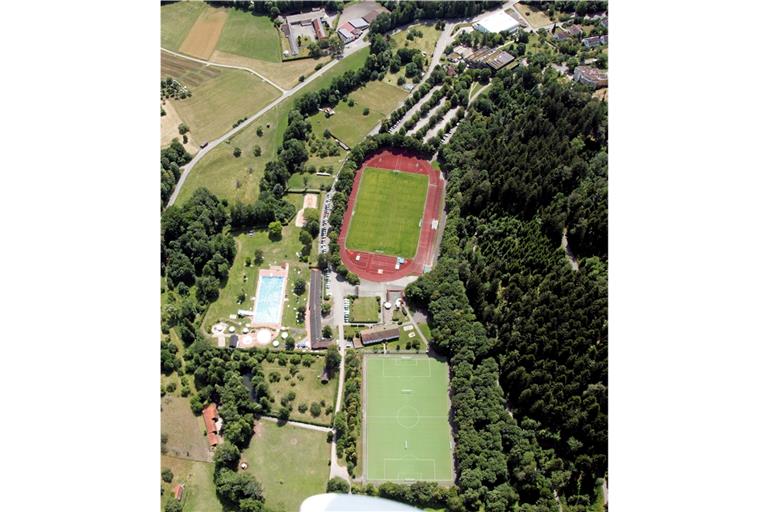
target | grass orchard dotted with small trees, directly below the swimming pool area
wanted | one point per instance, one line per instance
(308, 390)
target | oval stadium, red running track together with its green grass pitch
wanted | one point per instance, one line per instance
(391, 225)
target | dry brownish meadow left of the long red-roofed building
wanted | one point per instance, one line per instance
(185, 431)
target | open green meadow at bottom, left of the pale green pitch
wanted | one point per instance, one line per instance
(290, 462)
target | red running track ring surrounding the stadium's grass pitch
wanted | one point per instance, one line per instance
(381, 268)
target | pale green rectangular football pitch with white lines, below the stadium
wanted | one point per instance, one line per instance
(406, 434)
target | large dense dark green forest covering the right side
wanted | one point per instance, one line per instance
(528, 162)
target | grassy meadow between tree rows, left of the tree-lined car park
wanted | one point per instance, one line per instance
(349, 123)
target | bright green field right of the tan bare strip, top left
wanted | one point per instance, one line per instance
(250, 36)
